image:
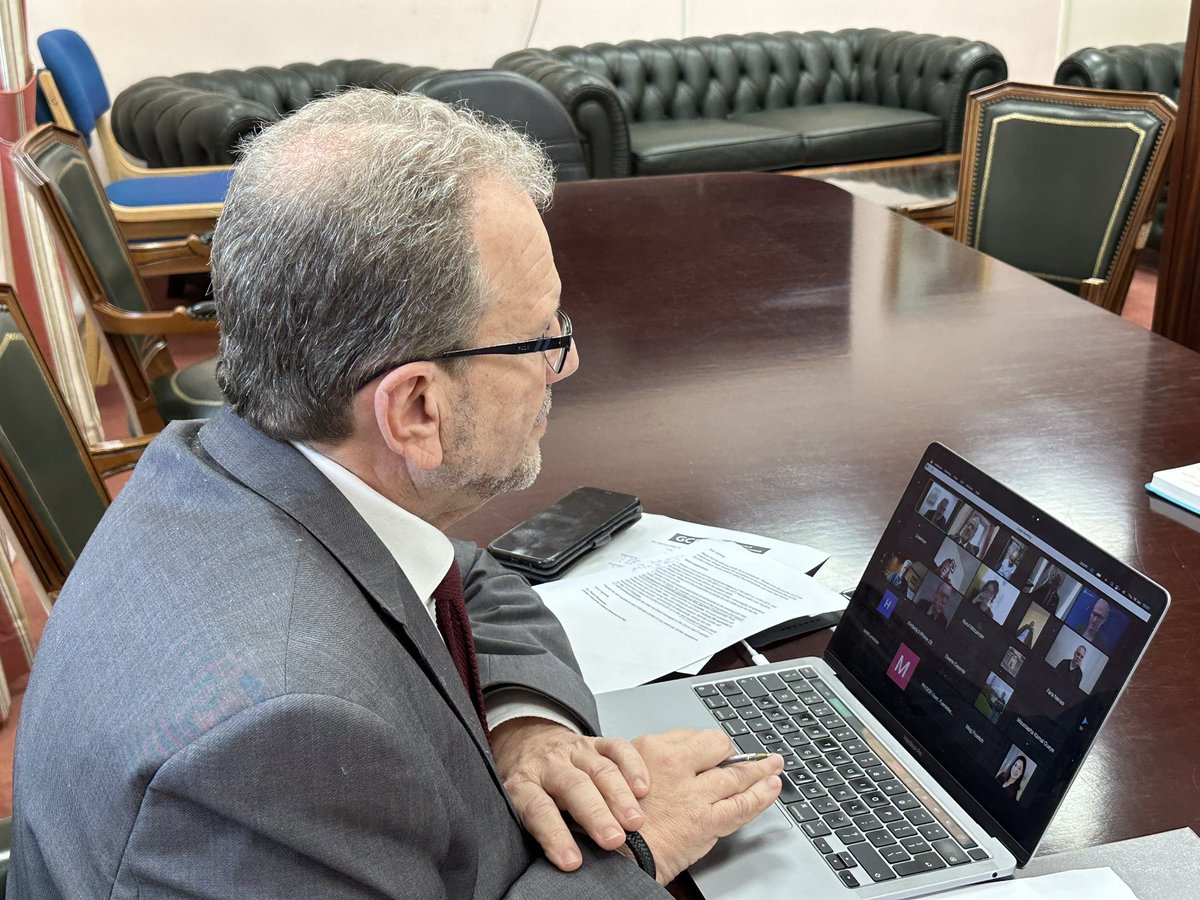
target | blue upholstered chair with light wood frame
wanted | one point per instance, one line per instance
(147, 203)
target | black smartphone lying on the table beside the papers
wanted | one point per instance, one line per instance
(549, 542)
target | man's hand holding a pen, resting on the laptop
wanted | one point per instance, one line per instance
(692, 802)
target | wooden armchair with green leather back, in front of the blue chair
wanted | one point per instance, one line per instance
(57, 165)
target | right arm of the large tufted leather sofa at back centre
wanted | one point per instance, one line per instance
(928, 73)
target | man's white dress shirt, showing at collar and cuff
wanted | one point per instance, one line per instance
(425, 555)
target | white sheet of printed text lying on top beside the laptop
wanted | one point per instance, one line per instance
(629, 626)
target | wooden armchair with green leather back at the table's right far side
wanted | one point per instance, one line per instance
(1063, 182)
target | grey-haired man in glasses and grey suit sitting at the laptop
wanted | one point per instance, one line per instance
(271, 673)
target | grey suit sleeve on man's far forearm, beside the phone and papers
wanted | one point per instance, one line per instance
(518, 640)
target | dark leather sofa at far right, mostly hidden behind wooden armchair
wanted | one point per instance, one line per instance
(1131, 68)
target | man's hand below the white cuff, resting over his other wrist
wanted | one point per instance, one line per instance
(549, 770)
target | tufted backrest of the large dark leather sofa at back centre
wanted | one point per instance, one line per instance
(716, 77)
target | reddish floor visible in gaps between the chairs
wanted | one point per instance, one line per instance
(1139, 309)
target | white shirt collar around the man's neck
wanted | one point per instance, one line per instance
(421, 550)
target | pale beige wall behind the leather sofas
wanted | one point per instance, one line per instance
(136, 39)
